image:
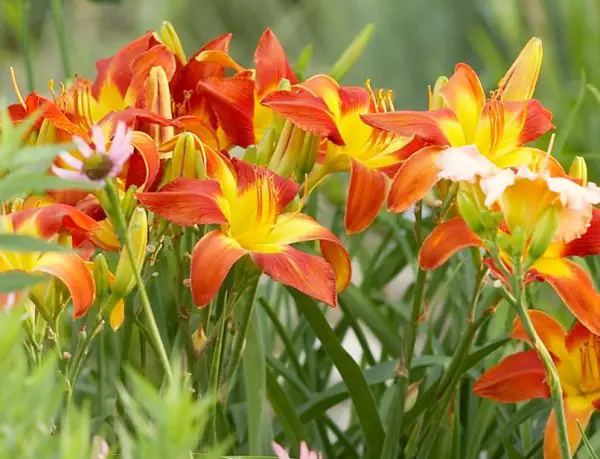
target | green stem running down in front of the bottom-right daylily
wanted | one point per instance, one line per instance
(551, 371)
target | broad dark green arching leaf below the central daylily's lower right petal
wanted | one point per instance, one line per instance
(358, 388)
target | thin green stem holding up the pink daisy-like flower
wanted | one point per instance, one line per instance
(154, 333)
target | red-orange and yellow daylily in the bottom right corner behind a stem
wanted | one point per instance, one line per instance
(522, 376)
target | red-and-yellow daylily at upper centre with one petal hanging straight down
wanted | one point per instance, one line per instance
(322, 107)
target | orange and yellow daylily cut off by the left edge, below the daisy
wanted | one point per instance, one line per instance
(69, 268)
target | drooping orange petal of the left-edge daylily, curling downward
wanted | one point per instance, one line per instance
(72, 271)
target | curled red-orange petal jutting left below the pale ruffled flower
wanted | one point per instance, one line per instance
(444, 241)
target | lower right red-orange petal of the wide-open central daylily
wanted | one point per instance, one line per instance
(310, 274)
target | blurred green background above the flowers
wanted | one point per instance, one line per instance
(414, 42)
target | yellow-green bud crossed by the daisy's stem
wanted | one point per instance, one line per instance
(138, 235)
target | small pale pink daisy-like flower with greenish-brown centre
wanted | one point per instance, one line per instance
(99, 164)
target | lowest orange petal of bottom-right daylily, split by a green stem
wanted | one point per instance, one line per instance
(573, 413)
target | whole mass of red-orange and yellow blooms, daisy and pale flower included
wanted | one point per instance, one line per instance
(166, 125)
